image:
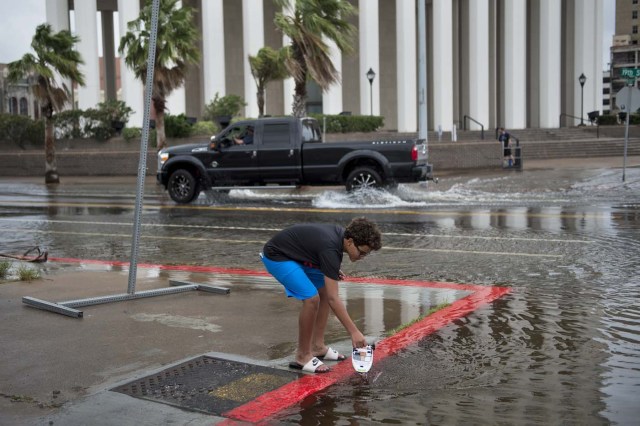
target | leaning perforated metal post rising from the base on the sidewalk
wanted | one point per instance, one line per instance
(144, 144)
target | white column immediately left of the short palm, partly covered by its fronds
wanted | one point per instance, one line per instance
(253, 40)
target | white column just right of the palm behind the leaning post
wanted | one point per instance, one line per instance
(213, 49)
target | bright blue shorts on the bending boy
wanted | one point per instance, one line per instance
(299, 281)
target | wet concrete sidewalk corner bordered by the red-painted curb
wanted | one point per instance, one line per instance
(57, 369)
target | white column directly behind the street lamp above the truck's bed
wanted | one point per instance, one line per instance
(369, 58)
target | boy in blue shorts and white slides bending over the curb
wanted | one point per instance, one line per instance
(306, 260)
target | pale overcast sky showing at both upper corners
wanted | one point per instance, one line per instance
(21, 17)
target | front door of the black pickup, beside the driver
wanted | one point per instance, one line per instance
(233, 163)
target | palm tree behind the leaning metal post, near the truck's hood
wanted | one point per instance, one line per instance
(176, 49)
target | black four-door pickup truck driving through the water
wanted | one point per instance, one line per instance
(286, 152)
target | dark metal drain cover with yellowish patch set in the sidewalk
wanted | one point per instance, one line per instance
(207, 384)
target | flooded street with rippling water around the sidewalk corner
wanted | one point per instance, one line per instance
(562, 348)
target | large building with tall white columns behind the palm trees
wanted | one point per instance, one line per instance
(511, 63)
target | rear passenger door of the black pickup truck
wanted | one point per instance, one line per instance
(279, 155)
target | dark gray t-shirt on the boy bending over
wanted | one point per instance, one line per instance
(315, 245)
